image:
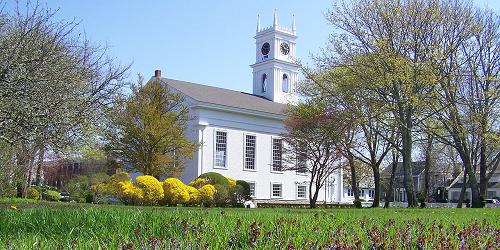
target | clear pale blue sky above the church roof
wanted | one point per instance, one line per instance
(209, 42)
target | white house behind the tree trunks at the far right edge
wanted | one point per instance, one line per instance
(455, 187)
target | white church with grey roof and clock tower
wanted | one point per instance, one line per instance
(240, 132)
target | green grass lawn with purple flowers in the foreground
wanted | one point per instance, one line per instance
(79, 226)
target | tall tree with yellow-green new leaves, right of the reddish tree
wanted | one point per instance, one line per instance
(398, 49)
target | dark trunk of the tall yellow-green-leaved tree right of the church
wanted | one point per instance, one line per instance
(407, 168)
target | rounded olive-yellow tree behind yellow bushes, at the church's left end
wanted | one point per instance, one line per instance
(149, 131)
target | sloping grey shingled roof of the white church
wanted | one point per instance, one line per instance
(225, 97)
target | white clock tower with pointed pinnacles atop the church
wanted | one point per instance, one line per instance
(275, 72)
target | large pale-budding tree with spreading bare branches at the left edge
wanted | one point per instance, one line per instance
(54, 85)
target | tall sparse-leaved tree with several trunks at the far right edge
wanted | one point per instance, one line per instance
(467, 108)
